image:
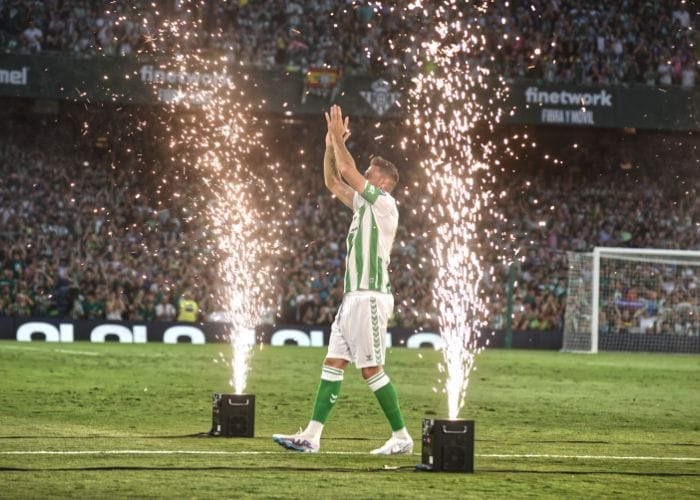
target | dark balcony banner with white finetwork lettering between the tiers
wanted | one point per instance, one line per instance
(150, 81)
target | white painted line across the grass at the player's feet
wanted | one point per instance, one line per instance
(233, 453)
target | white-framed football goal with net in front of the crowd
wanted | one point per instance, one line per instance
(626, 299)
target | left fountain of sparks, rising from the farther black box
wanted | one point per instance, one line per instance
(217, 144)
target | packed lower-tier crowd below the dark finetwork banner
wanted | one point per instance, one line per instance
(83, 236)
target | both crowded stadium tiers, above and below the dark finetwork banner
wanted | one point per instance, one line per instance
(81, 237)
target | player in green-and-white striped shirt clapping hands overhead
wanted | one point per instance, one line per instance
(358, 334)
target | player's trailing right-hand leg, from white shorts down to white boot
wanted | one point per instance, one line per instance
(370, 328)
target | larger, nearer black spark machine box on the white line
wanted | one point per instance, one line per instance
(448, 445)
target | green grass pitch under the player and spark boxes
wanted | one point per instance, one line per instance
(109, 420)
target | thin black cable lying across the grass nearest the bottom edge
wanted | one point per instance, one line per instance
(340, 470)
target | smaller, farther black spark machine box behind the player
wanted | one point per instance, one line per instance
(233, 415)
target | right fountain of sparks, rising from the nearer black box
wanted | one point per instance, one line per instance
(449, 100)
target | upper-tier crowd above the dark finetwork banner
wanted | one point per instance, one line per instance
(571, 41)
